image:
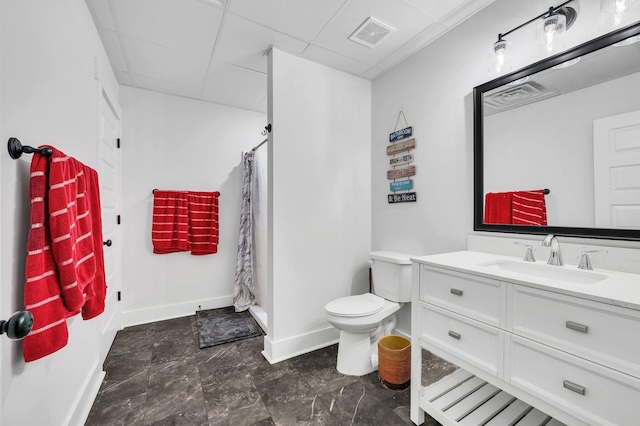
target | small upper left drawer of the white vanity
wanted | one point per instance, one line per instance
(476, 297)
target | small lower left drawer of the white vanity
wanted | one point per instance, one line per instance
(473, 341)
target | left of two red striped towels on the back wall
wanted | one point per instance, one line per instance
(170, 222)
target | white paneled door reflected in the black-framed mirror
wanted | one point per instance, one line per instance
(616, 162)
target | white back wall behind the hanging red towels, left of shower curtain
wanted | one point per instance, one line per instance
(169, 142)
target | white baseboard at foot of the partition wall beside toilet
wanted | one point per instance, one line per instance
(276, 351)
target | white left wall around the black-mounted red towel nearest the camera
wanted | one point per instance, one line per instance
(49, 96)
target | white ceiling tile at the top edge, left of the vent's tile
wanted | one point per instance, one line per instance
(309, 17)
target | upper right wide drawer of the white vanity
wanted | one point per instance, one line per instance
(596, 331)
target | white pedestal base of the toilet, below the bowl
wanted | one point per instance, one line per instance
(354, 354)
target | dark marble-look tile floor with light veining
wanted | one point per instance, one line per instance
(157, 375)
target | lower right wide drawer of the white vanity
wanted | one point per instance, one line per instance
(594, 394)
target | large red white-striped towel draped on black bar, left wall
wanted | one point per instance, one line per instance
(65, 263)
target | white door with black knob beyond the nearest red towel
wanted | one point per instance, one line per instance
(109, 174)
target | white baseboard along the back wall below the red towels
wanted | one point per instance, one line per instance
(161, 313)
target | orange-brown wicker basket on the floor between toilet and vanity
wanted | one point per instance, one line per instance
(394, 361)
